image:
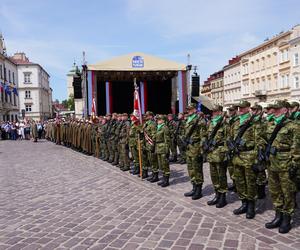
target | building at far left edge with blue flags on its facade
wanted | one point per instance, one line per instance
(9, 105)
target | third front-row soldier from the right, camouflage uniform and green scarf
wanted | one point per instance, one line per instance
(215, 149)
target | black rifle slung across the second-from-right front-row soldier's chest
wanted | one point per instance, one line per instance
(237, 142)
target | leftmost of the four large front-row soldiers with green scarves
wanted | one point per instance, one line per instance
(195, 132)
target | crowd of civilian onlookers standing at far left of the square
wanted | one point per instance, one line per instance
(20, 130)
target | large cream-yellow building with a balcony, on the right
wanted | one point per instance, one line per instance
(266, 69)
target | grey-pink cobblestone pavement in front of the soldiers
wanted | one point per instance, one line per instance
(54, 198)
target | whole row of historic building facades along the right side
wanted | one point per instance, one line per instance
(268, 72)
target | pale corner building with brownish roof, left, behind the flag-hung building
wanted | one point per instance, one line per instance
(35, 94)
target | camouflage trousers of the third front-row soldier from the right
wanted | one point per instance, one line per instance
(218, 176)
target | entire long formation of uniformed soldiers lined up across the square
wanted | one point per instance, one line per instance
(255, 146)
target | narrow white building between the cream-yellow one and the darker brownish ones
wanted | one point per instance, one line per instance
(232, 82)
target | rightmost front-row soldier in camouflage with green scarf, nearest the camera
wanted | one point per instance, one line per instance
(284, 155)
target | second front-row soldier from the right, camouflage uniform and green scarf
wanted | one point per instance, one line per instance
(243, 161)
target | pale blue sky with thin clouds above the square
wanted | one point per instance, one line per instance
(54, 33)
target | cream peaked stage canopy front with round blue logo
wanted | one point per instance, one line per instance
(137, 62)
